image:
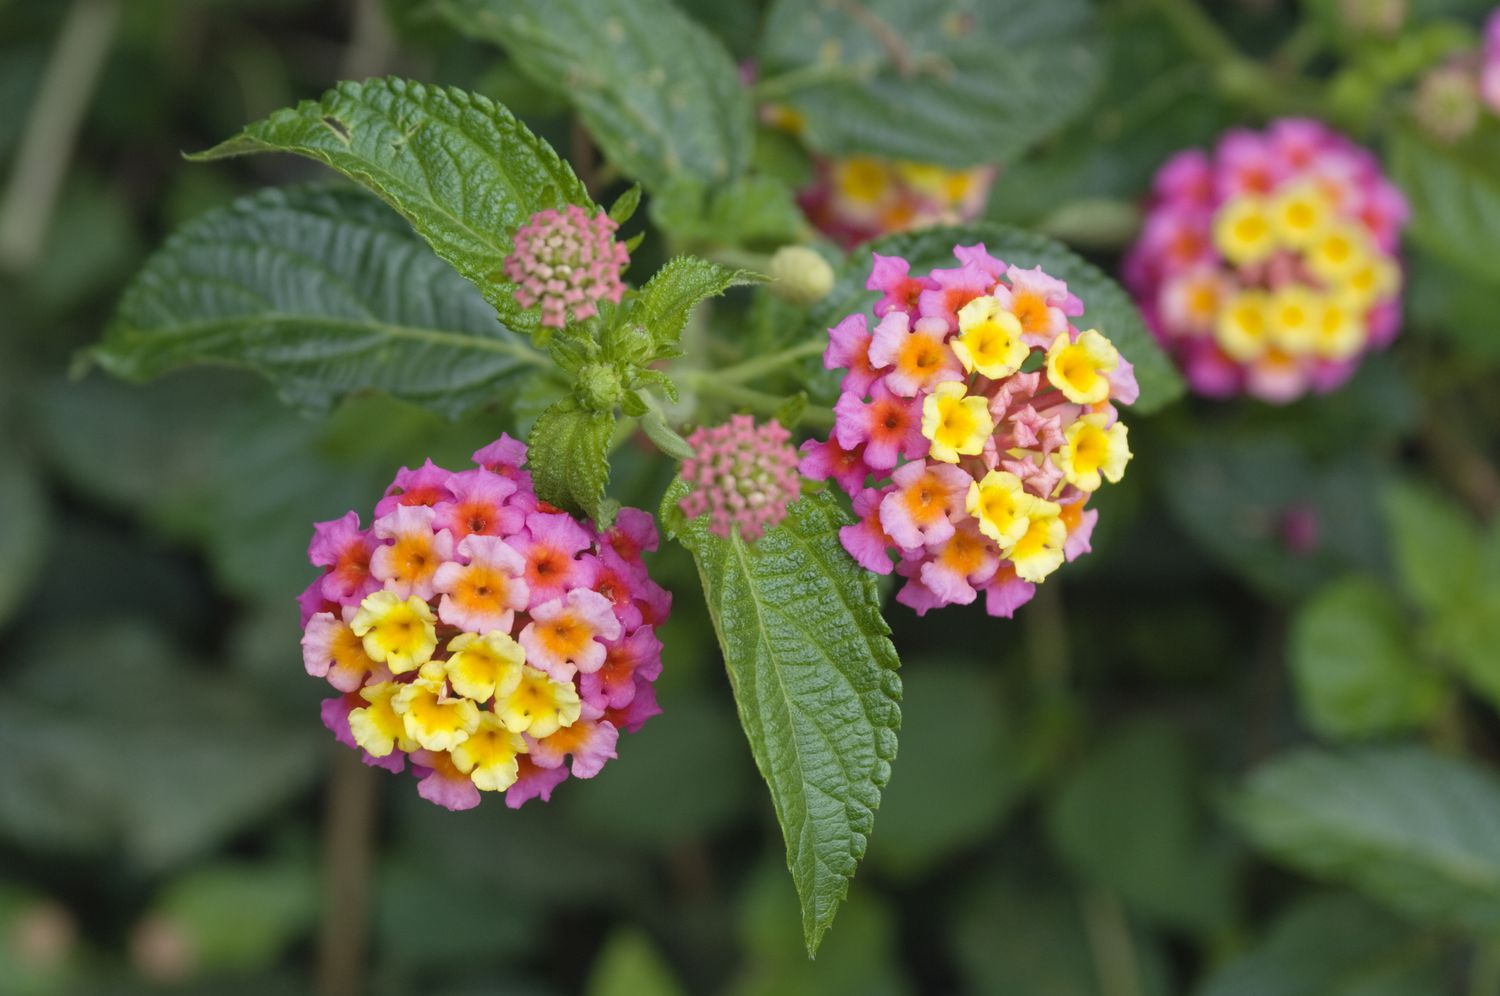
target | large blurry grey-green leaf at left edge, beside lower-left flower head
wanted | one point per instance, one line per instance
(116, 743)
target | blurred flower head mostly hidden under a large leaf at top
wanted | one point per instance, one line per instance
(857, 199)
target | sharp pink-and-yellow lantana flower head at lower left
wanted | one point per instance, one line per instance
(482, 634)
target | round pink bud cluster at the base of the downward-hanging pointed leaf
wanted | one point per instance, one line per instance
(743, 476)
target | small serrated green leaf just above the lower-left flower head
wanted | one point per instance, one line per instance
(569, 458)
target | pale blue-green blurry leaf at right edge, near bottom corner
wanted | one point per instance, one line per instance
(1415, 830)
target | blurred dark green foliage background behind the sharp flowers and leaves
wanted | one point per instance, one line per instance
(1247, 749)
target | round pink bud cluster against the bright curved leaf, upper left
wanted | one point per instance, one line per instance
(568, 262)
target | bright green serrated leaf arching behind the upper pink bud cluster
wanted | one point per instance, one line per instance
(457, 166)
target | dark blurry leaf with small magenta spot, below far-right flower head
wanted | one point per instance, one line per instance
(1279, 518)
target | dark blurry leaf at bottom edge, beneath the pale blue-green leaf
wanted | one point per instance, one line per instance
(1334, 946)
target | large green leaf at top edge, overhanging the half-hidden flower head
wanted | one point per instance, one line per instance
(931, 80)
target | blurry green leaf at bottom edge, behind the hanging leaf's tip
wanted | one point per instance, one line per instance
(859, 956)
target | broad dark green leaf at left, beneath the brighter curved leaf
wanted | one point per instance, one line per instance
(326, 293)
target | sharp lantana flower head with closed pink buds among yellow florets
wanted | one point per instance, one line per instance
(974, 425)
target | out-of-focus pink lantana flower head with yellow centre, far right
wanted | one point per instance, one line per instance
(1270, 266)
